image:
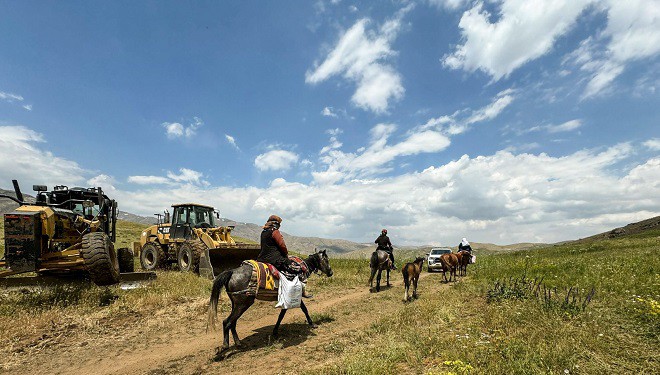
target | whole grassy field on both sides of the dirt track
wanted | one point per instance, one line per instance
(496, 320)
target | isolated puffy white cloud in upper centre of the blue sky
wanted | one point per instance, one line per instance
(361, 56)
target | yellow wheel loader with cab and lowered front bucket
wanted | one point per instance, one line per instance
(193, 241)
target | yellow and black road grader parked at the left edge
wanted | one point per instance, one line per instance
(65, 232)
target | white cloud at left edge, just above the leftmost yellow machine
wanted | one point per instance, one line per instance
(23, 158)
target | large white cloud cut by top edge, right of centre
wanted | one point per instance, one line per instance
(524, 31)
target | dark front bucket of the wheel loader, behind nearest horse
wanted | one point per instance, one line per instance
(224, 258)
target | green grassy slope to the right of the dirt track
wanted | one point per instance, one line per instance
(458, 331)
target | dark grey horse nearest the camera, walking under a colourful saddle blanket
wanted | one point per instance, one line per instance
(235, 282)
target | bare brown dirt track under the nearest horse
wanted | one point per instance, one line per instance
(176, 342)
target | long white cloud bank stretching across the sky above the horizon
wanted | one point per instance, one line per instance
(490, 198)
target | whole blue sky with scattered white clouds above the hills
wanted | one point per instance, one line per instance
(502, 121)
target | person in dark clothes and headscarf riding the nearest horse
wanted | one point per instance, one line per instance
(274, 251)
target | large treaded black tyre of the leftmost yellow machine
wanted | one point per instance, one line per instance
(100, 258)
